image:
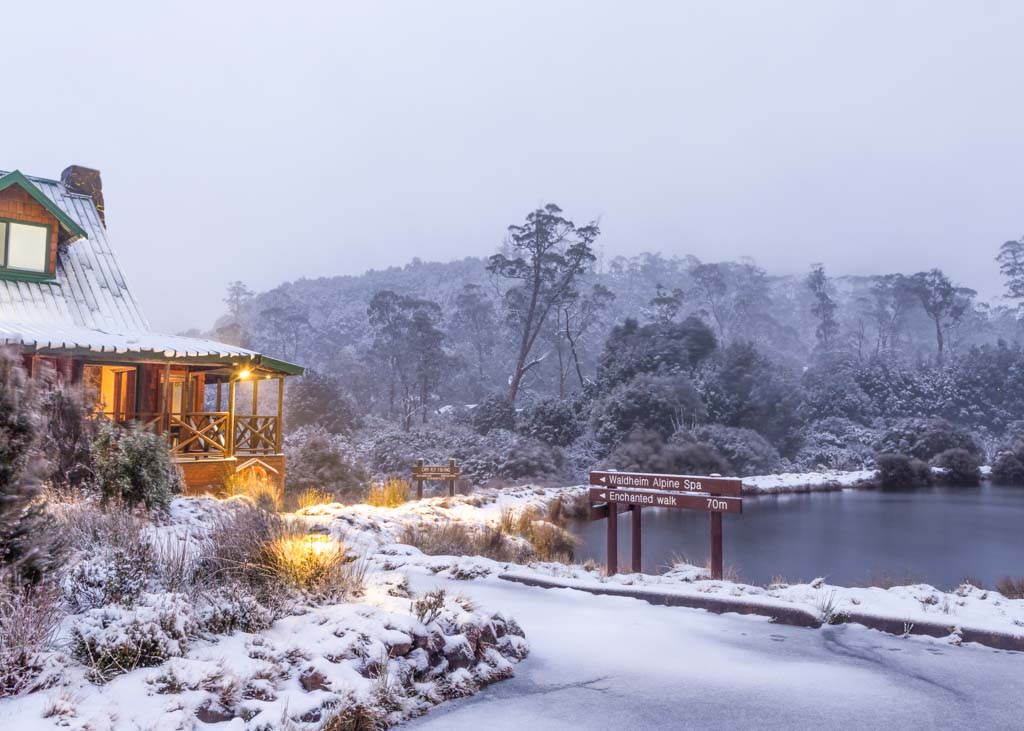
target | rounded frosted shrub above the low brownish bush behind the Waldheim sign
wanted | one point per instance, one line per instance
(660, 404)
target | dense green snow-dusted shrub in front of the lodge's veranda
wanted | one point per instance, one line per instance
(135, 466)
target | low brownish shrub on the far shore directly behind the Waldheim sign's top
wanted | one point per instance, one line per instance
(649, 452)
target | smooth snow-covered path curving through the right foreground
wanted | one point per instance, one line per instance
(610, 663)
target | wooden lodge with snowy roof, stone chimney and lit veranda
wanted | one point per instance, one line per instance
(66, 303)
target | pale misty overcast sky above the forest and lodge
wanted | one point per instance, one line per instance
(307, 140)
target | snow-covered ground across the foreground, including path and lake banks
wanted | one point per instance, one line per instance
(595, 662)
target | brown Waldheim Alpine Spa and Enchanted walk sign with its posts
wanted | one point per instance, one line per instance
(613, 492)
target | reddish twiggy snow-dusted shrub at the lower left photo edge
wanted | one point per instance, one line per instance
(29, 621)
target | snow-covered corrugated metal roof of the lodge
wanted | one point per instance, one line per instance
(90, 306)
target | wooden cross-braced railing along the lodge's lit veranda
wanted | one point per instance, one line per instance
(208, 435)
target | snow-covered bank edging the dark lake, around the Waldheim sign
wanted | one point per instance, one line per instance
(967, 611)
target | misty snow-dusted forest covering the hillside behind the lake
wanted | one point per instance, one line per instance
(542, 360)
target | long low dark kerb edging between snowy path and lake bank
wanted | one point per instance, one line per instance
(795, 617)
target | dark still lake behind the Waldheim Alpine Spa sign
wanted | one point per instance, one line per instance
(938, 536)
